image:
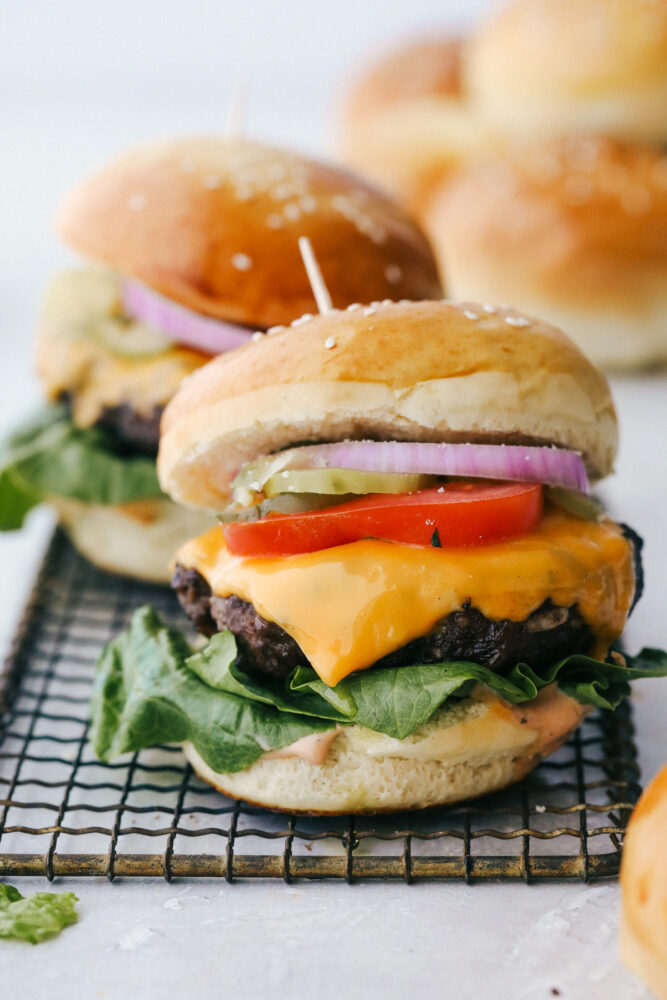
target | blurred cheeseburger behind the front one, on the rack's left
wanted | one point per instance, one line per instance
(190, 248)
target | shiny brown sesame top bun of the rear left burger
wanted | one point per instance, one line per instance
(213, 223)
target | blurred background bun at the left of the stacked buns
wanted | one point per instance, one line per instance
(406, 122)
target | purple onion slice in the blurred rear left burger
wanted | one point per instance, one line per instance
(180, 324)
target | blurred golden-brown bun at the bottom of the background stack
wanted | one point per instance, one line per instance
(573, 230)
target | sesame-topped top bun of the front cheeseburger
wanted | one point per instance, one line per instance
(422, 371)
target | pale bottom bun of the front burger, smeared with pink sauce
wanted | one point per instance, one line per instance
(477, 746)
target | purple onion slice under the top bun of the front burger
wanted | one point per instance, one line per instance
(549, 465)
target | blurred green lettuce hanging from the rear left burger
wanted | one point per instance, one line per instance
(49, 456)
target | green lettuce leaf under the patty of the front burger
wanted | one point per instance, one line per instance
(150, 688)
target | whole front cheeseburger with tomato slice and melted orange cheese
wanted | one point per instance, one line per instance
(411, 597)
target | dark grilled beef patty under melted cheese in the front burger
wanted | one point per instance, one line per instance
(548, 634)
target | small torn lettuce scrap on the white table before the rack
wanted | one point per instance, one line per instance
(35, 918)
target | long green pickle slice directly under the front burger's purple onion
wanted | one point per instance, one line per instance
(336, 481)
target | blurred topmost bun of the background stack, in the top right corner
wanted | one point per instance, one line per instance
(553, 66)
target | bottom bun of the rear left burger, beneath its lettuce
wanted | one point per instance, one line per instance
(136, 539)
